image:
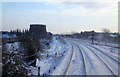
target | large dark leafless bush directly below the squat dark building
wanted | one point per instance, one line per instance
(31, 45)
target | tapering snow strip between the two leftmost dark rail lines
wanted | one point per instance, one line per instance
(76, 65)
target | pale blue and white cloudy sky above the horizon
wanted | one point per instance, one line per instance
(61, 16)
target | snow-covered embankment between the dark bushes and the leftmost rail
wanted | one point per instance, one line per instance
(55, 60)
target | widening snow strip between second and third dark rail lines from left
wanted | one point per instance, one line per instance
(94, 66)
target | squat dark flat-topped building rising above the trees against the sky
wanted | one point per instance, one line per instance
(39, 30)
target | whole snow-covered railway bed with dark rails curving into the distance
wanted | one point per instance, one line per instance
(86, 58)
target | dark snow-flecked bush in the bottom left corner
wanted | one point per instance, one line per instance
(13, 66)
